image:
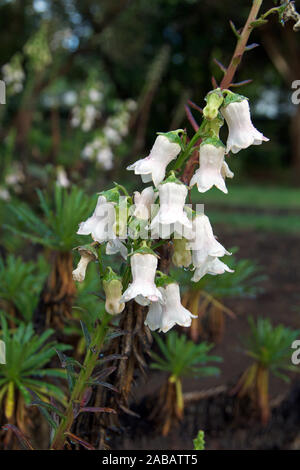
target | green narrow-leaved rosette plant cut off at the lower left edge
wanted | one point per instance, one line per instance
(27, 373)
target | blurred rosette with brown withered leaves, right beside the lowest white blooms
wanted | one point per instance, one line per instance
(206, 298)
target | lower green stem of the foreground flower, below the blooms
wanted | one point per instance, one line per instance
(81, 383)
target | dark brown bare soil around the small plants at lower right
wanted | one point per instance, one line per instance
(279, 256)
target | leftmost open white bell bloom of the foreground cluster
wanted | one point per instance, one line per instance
(100, 224)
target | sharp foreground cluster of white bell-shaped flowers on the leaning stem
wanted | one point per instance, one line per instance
(195, 245)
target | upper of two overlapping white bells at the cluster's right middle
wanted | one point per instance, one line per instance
(204, 243)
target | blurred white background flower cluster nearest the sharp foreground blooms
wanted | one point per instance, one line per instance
(111, 135)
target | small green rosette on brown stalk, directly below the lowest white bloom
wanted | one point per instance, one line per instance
(180, 358)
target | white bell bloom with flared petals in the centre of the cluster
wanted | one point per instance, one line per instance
(171, 217)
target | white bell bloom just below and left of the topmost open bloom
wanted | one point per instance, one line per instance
(211, 160)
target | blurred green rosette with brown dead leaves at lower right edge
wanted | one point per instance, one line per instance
(270, 348)
